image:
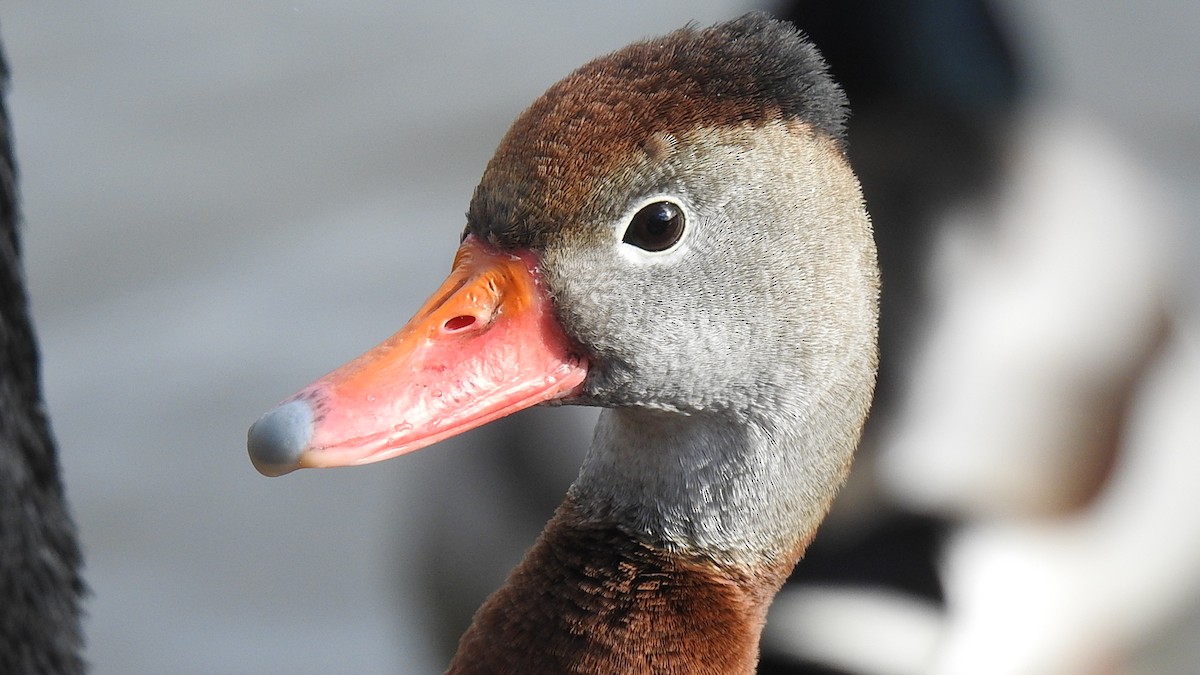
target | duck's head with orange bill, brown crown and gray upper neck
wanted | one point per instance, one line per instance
(673, 232)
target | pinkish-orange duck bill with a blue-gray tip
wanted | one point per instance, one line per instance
(485, 345)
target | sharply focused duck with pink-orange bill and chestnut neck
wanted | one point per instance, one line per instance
(673, 234)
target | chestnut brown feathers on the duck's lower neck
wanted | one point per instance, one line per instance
(590, 599)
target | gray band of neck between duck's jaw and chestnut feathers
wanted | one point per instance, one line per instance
(741, 493)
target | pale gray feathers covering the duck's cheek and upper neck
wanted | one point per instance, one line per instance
(745, 366)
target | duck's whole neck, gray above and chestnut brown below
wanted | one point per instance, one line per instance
(664, 558)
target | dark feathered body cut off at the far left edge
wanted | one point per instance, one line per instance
(41, 582)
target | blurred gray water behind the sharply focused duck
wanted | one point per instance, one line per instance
(225, 202)
